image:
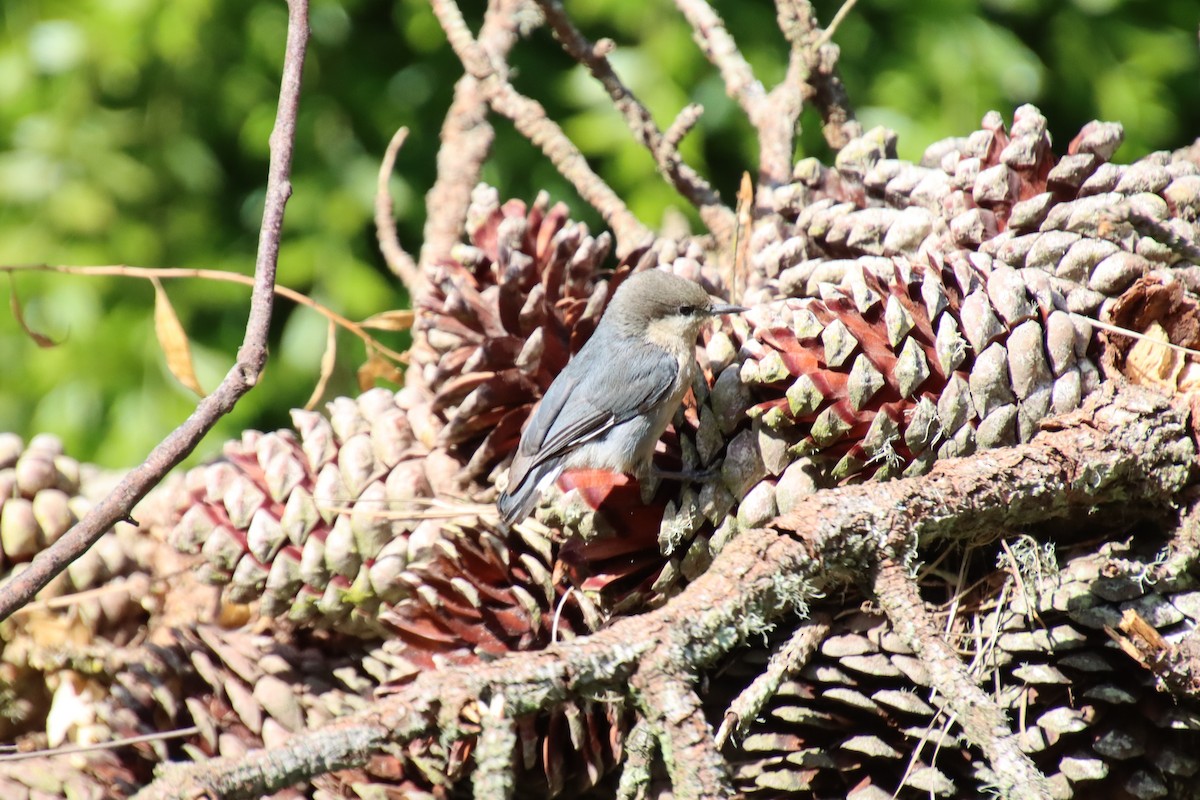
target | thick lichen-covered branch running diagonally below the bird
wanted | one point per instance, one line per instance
(1126, 447)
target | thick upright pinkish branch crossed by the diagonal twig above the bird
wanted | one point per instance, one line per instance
(466, 141)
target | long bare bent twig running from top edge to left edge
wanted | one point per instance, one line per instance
(241, 380)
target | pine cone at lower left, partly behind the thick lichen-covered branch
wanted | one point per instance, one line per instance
(247, 691)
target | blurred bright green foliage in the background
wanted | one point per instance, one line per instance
(136, 133)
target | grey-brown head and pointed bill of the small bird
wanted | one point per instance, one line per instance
(665, 309)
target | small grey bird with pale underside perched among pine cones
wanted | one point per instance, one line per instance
(608, 408)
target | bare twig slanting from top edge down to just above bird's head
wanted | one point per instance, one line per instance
(531, 119)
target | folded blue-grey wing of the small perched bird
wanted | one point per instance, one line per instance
(568, 418)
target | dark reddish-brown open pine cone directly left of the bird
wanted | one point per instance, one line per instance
(502, 321)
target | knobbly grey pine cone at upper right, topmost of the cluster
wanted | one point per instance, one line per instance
(1095, 226)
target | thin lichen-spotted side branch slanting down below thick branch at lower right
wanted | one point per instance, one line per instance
(981, 718)
